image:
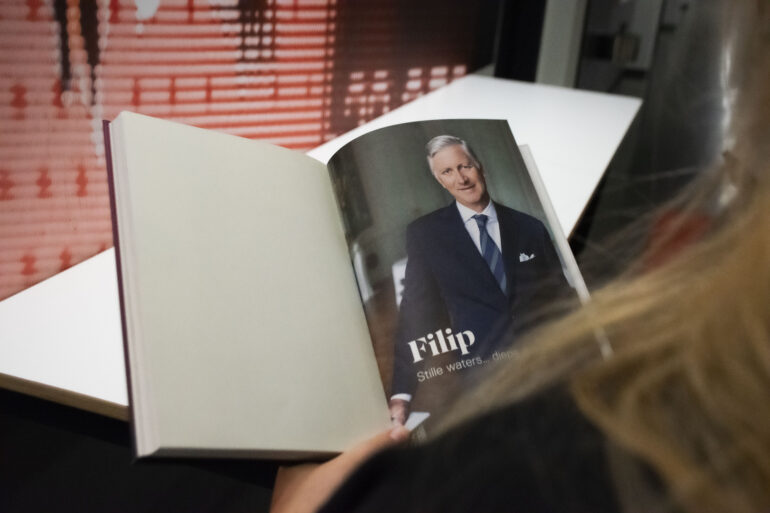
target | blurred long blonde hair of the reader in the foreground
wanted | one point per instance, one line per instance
(688, 387)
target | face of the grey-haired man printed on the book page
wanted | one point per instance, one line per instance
(455, 171)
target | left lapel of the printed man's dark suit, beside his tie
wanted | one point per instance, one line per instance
(487, 288)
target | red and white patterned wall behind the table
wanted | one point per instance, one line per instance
(294, 72)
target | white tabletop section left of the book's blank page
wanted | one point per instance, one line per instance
(65, 331)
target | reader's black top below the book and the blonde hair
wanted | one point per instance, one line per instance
(539, 455)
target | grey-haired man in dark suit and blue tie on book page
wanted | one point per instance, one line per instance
(475, 270)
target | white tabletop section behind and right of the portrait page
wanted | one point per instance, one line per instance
(572, 134)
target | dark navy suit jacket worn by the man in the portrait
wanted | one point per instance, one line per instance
(449, 285)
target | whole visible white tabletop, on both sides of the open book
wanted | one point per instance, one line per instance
(65, 331)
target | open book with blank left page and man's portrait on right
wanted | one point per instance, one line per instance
(274, 306)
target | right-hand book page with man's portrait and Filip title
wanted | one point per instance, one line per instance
(454, 253)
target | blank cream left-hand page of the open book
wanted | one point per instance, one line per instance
(246, 334)
